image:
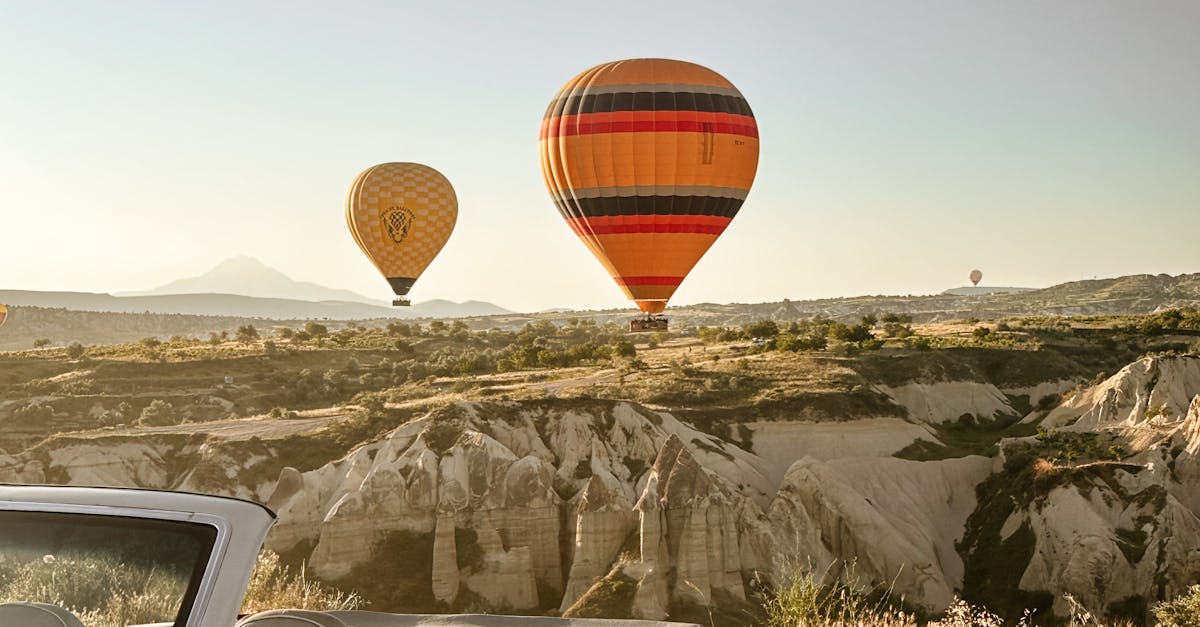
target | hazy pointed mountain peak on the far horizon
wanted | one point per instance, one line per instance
(249, 277)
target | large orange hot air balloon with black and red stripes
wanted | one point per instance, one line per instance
(649, 160)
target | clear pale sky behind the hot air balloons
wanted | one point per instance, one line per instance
(904, 144)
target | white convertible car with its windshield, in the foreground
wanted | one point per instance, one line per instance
(124, 558)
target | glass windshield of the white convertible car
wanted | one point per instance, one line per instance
(107, 571)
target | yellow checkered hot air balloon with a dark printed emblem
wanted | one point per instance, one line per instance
(401, 216)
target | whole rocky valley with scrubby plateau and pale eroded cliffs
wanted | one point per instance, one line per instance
(441, 469)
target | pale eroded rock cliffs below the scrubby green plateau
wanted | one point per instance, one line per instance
(537, 505)
